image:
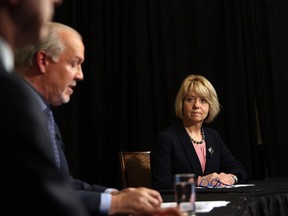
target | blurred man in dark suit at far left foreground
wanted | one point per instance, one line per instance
(31, 183)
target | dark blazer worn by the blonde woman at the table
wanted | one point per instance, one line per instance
(174, 153)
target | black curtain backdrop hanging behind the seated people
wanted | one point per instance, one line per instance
(138, 53)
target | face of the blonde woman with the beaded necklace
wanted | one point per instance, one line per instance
(195, 108)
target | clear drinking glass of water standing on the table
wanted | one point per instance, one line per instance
(185, 194)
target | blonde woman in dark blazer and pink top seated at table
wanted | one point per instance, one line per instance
(190, 147)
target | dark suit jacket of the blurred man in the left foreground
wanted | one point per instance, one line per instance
(31, 183)
